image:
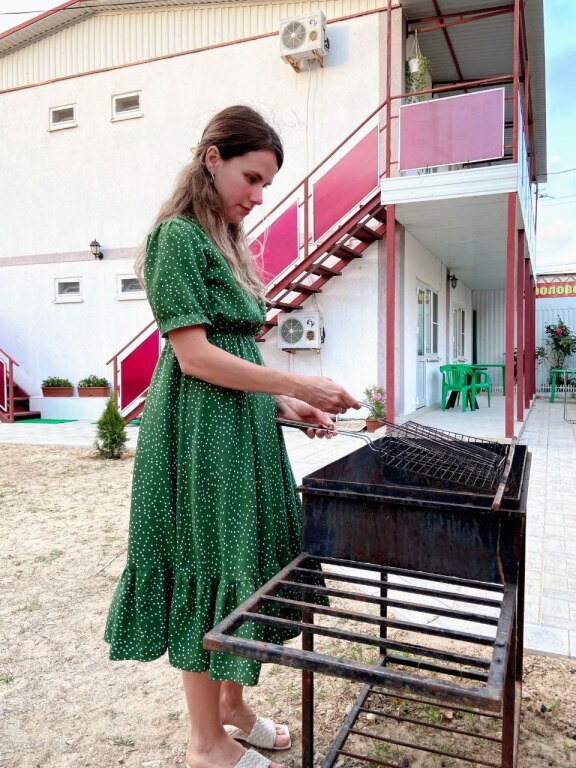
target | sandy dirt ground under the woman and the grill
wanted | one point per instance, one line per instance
(63, 524)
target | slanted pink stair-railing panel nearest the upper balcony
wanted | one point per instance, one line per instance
(346, 184)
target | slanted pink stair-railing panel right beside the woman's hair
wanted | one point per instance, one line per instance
(280, 244)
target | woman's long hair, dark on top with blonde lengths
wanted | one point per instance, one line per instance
(234, 131)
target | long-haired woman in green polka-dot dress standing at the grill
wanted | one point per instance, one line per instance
(214, 509)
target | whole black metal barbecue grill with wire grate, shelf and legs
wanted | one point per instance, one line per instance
(411, 559)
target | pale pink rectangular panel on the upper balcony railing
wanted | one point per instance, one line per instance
(457, 129)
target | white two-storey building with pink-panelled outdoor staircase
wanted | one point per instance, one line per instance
(101, 102)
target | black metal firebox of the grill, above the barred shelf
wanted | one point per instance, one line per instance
(350, 513)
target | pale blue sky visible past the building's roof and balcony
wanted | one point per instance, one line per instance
(556, 244)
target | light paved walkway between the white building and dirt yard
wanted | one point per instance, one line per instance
(550, 626)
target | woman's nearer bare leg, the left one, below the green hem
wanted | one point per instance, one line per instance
(209, 745)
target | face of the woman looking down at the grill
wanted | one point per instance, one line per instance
(240, 181)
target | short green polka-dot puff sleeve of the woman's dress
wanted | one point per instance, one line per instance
(175, 275)
